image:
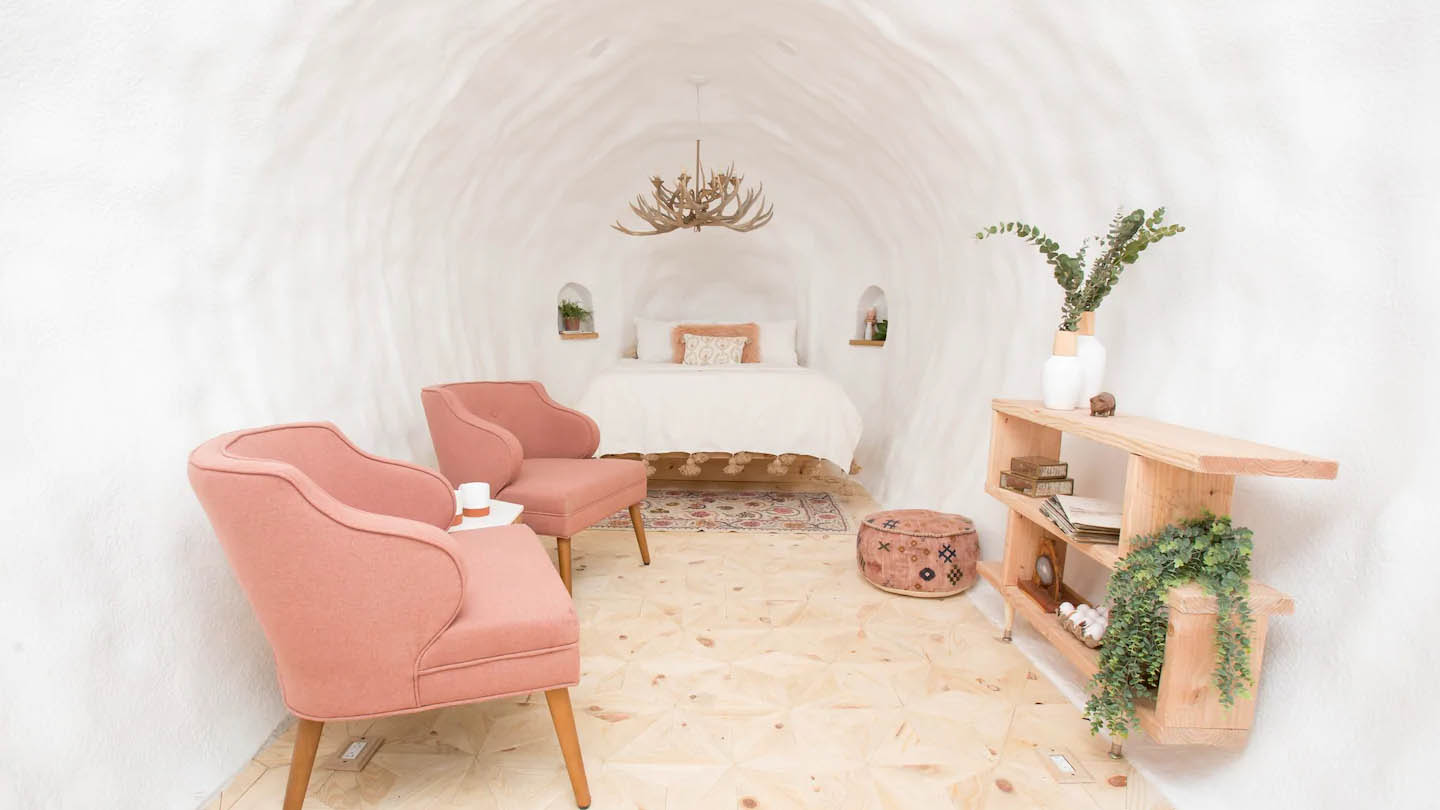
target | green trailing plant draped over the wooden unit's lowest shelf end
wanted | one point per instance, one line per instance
(1209, 551)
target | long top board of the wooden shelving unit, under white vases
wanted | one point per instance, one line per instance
(1174, 445)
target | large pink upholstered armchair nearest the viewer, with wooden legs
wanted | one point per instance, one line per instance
(371, 606)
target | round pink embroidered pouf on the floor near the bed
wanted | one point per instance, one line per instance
(918, 553)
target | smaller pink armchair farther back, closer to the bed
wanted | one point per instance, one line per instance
(536, 453)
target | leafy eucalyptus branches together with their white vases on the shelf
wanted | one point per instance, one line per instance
(1076, 350)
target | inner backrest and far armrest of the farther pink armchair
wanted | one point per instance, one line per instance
(545, 429)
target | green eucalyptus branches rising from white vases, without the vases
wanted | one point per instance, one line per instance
(1085, 289)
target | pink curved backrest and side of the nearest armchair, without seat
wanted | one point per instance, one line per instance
(342, 557)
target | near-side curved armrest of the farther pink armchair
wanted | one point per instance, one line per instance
(469, 448)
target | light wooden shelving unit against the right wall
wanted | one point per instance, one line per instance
(1174, 473)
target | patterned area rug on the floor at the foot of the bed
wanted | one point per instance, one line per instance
(737, 511)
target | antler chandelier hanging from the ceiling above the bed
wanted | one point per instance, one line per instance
(701, 201)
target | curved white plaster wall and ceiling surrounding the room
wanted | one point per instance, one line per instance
(217, 215)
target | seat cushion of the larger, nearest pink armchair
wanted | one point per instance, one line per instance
(515, 607)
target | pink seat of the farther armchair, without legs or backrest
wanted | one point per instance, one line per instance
(565, 497)
